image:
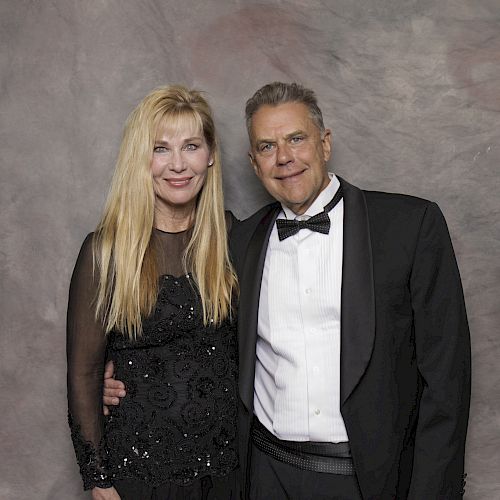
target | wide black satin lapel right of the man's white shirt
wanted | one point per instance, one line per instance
(358, 298)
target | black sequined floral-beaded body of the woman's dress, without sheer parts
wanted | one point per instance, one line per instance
(177, 421)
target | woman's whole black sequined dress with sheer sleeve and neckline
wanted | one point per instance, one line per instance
(174, 434)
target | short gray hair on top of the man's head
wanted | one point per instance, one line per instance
(276, 93)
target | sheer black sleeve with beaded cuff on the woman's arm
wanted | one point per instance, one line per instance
(86, 352)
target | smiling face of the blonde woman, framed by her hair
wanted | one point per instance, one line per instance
(181, 157)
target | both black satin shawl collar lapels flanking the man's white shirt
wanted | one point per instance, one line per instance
(358, 303)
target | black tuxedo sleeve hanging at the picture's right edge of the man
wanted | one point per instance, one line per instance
(443, 360)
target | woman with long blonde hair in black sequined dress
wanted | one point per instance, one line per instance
(152, 290)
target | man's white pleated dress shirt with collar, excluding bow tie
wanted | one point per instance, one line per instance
(297, 372)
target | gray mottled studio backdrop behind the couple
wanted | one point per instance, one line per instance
(410, 88)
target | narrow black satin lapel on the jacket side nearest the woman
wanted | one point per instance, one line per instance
(250, 283)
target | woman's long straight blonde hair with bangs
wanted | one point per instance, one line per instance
(124, 253)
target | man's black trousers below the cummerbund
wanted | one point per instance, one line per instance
(272, 479)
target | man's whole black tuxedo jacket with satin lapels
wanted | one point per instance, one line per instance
(405, 347)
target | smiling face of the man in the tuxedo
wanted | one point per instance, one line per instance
(289, 154)
